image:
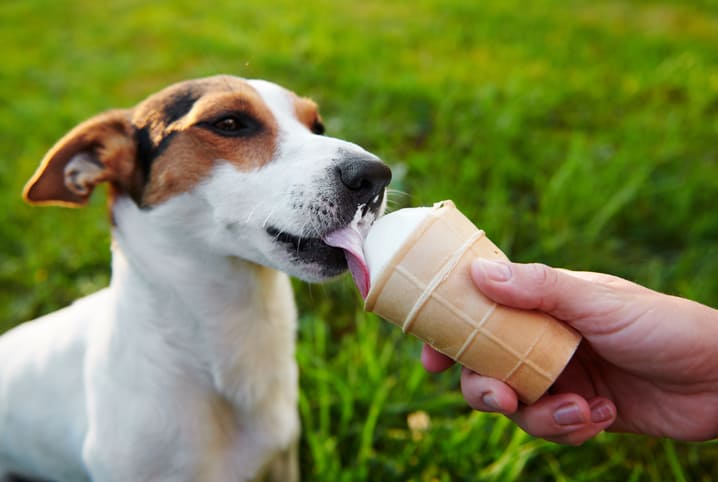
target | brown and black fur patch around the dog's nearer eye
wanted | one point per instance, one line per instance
(185, 132)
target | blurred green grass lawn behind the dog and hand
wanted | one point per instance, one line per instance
(578, 133)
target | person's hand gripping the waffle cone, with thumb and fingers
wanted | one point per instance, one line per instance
(648, 363)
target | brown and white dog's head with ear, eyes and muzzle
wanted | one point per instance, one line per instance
(242, 164)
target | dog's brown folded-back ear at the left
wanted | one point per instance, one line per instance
(101, 149)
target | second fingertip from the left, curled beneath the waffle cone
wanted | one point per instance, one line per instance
(487, 394)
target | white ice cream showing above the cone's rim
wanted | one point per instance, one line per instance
(388, 234)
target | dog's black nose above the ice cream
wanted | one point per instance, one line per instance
(364, 178)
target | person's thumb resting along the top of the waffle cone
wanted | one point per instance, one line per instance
(566, 295)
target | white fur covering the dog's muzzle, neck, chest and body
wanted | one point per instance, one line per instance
(183, 368)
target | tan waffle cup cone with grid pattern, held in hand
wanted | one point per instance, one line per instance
(426, 289)
